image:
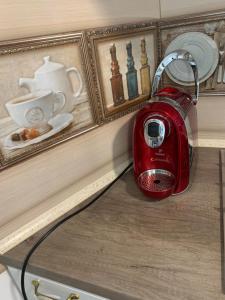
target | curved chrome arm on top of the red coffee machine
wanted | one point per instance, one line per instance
(177, 55)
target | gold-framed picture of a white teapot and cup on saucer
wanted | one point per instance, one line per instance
(45, 94)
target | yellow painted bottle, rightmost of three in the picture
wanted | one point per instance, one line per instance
(145, 70)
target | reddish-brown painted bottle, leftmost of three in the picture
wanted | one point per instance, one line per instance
(116, 79)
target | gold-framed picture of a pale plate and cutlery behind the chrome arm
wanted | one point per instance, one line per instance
(204, 34)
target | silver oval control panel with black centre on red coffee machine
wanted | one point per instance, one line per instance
(154, 132)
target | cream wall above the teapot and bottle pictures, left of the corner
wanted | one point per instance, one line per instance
(30, 17)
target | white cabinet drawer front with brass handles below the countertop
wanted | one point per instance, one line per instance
(50, 288)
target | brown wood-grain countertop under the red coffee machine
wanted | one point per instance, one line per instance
(126, 247)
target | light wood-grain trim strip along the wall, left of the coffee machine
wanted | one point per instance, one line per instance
(42, 215)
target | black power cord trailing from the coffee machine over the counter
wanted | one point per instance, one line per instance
(53, 228)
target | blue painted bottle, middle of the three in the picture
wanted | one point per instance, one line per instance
(132, 83)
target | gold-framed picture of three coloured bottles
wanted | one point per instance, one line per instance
(123, 60)
